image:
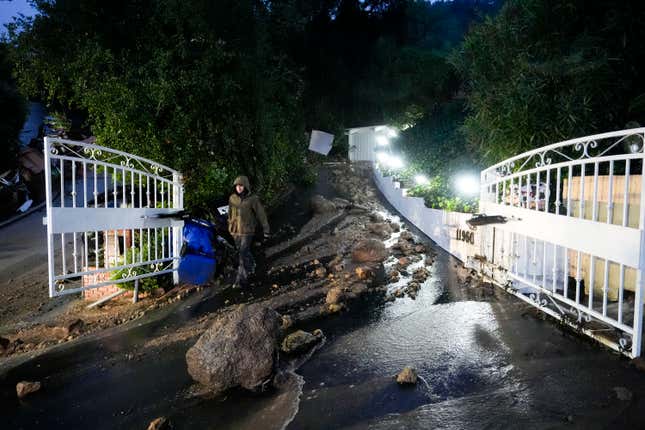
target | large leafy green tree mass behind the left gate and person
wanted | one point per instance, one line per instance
(196, 85)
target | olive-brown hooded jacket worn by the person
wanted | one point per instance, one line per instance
(245, 211)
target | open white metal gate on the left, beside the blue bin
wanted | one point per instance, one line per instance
(108, 217)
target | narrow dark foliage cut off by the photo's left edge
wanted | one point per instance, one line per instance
(13, 111)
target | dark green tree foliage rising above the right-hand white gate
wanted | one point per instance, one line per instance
(543, 71)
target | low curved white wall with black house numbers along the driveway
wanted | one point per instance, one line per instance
(448, 229)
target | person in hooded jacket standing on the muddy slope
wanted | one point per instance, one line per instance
(244, 214)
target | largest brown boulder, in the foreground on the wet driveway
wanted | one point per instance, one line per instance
(239, 349)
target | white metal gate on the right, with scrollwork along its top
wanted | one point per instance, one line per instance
(573, 242)
